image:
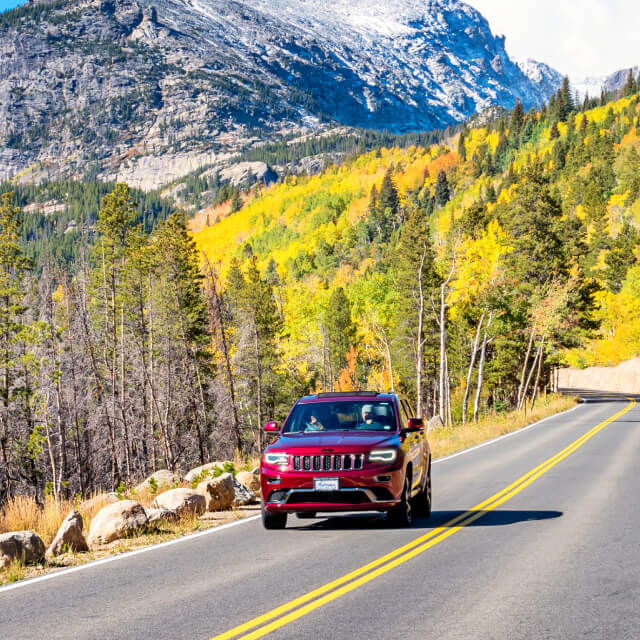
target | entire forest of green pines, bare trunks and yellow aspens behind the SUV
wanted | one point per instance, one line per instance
(460, 274)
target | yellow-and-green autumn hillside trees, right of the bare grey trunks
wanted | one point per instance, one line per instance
(527, 233)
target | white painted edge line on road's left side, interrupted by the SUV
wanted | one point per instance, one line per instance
(129, 554)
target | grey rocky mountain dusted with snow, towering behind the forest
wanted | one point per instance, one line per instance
(149, 90)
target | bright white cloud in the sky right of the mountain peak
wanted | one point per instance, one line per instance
(577, 37)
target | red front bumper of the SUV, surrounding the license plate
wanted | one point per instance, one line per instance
(377, 488)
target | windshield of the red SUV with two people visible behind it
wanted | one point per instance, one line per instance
(332, 416)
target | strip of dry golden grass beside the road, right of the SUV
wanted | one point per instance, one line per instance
(449, 440)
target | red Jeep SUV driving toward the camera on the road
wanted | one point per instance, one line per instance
(352, 451)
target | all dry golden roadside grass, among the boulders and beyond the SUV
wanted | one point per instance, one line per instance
(22, 513)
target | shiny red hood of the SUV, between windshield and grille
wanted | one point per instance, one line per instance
(341, 442)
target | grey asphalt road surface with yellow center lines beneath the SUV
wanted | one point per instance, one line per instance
(557, 555)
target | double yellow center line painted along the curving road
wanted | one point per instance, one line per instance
(295, 609)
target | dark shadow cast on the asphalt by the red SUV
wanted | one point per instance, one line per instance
(495, 518)
